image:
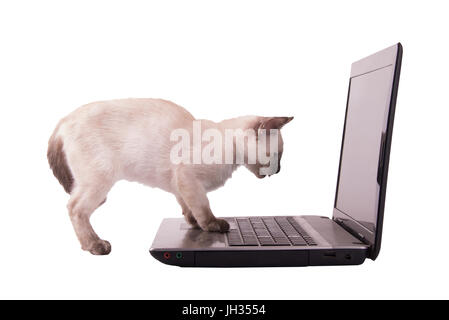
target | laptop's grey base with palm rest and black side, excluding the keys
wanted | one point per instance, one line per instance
(178, 244)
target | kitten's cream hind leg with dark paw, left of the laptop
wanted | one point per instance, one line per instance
(83, 202)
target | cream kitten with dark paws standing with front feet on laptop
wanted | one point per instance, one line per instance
(103, 142)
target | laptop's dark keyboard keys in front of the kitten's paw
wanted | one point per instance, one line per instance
(268, 231)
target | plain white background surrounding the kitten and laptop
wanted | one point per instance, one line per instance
(220, 59)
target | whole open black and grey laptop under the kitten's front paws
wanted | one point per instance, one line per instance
(354, 232)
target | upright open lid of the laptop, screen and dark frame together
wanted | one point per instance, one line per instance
(365, 151)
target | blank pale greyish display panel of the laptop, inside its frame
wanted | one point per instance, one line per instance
(358, 189)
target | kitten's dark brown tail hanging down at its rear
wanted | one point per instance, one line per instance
(58, 162)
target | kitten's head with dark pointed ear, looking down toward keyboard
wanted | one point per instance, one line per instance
(268, 137)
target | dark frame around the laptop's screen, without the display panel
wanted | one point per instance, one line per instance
(391, 56)
